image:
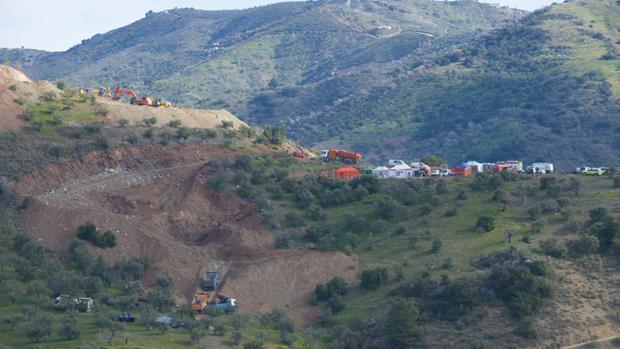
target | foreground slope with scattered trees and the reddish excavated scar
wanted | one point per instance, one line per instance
(493, 261)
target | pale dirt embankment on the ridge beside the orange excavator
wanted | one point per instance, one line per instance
(193, 118)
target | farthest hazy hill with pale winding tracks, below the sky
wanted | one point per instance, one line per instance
(245, 60)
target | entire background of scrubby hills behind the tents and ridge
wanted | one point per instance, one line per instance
(397, 78)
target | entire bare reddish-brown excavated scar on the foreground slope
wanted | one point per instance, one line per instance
(155, 200)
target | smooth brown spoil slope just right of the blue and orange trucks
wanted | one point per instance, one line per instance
(286, 280)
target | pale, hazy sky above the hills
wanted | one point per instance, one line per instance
(56, 25)
